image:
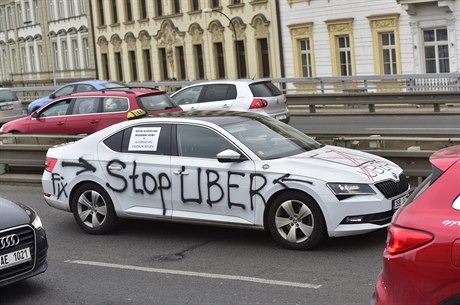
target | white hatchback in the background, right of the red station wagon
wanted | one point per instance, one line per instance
(259, 96)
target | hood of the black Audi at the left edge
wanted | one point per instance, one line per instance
(12, 214)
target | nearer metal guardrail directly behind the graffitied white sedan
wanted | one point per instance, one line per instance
(410, 153)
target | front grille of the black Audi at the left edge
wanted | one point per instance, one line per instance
(26, 239)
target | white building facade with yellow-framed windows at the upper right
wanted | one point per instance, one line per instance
(369, 37)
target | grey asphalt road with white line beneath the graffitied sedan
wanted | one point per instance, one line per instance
(150, 262)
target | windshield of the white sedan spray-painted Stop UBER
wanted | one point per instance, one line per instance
(271, 139)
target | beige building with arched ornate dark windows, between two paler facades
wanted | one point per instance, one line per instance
(140, 40)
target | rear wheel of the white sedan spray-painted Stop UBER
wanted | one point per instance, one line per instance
(93, 209)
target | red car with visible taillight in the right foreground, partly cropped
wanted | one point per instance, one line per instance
(421, 262)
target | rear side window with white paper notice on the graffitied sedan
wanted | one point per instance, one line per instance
(154, 139)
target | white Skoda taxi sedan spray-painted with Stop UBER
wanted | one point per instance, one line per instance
(232, 168)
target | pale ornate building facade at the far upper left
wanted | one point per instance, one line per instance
(45, 42)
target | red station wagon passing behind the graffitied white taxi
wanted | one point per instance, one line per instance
(88, 112)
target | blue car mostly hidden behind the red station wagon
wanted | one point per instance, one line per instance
(81, 86)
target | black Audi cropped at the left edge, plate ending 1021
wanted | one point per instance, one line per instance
(23, 243)
